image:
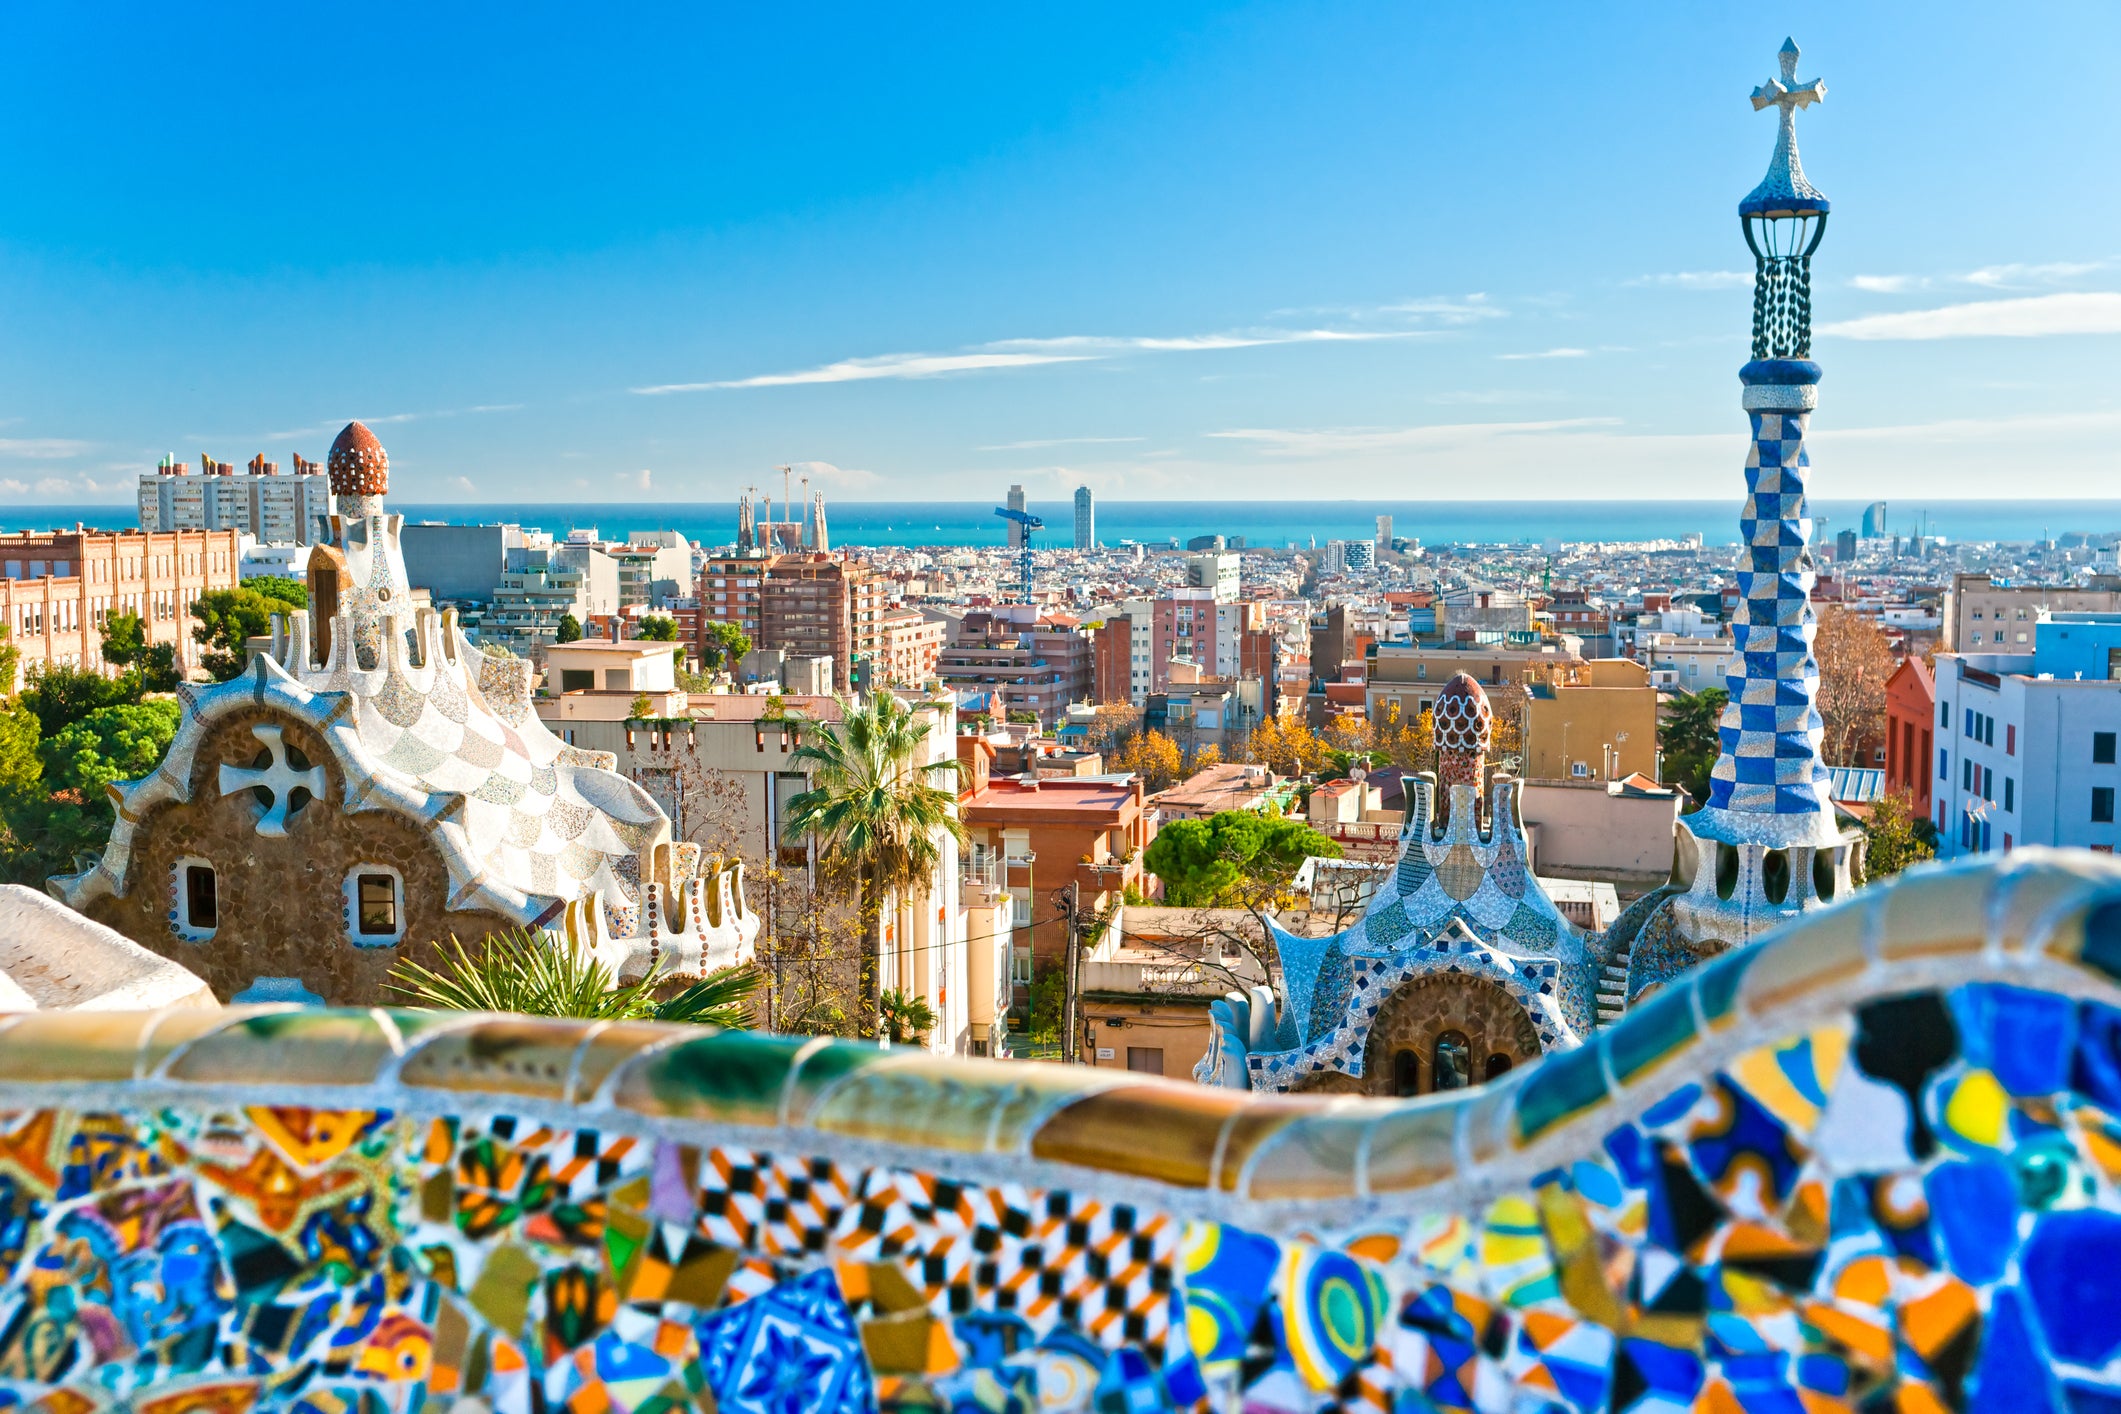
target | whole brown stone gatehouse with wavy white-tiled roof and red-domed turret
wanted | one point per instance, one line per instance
(374, 783)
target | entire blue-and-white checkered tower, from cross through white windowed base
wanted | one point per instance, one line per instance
(1768, 843)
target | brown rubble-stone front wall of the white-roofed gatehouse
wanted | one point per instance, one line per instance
(283, 902)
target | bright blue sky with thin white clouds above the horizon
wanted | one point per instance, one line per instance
(1274, 251)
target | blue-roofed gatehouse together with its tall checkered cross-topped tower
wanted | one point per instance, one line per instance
(1462, 968)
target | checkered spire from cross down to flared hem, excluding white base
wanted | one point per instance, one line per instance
(1770, 783)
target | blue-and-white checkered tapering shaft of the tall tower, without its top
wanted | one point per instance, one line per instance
(1772, 730)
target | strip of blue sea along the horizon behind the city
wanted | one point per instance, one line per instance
(1272, 525)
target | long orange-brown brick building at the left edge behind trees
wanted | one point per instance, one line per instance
(58, 590)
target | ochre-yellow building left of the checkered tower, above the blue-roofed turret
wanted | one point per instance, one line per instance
(1590, 722)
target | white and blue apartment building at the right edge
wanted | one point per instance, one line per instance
(2027, 752)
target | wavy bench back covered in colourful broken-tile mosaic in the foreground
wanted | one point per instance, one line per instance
(1868, 1163)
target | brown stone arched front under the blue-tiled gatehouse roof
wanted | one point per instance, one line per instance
(1445, 1031)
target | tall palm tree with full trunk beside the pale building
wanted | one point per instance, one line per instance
(875, 802)
